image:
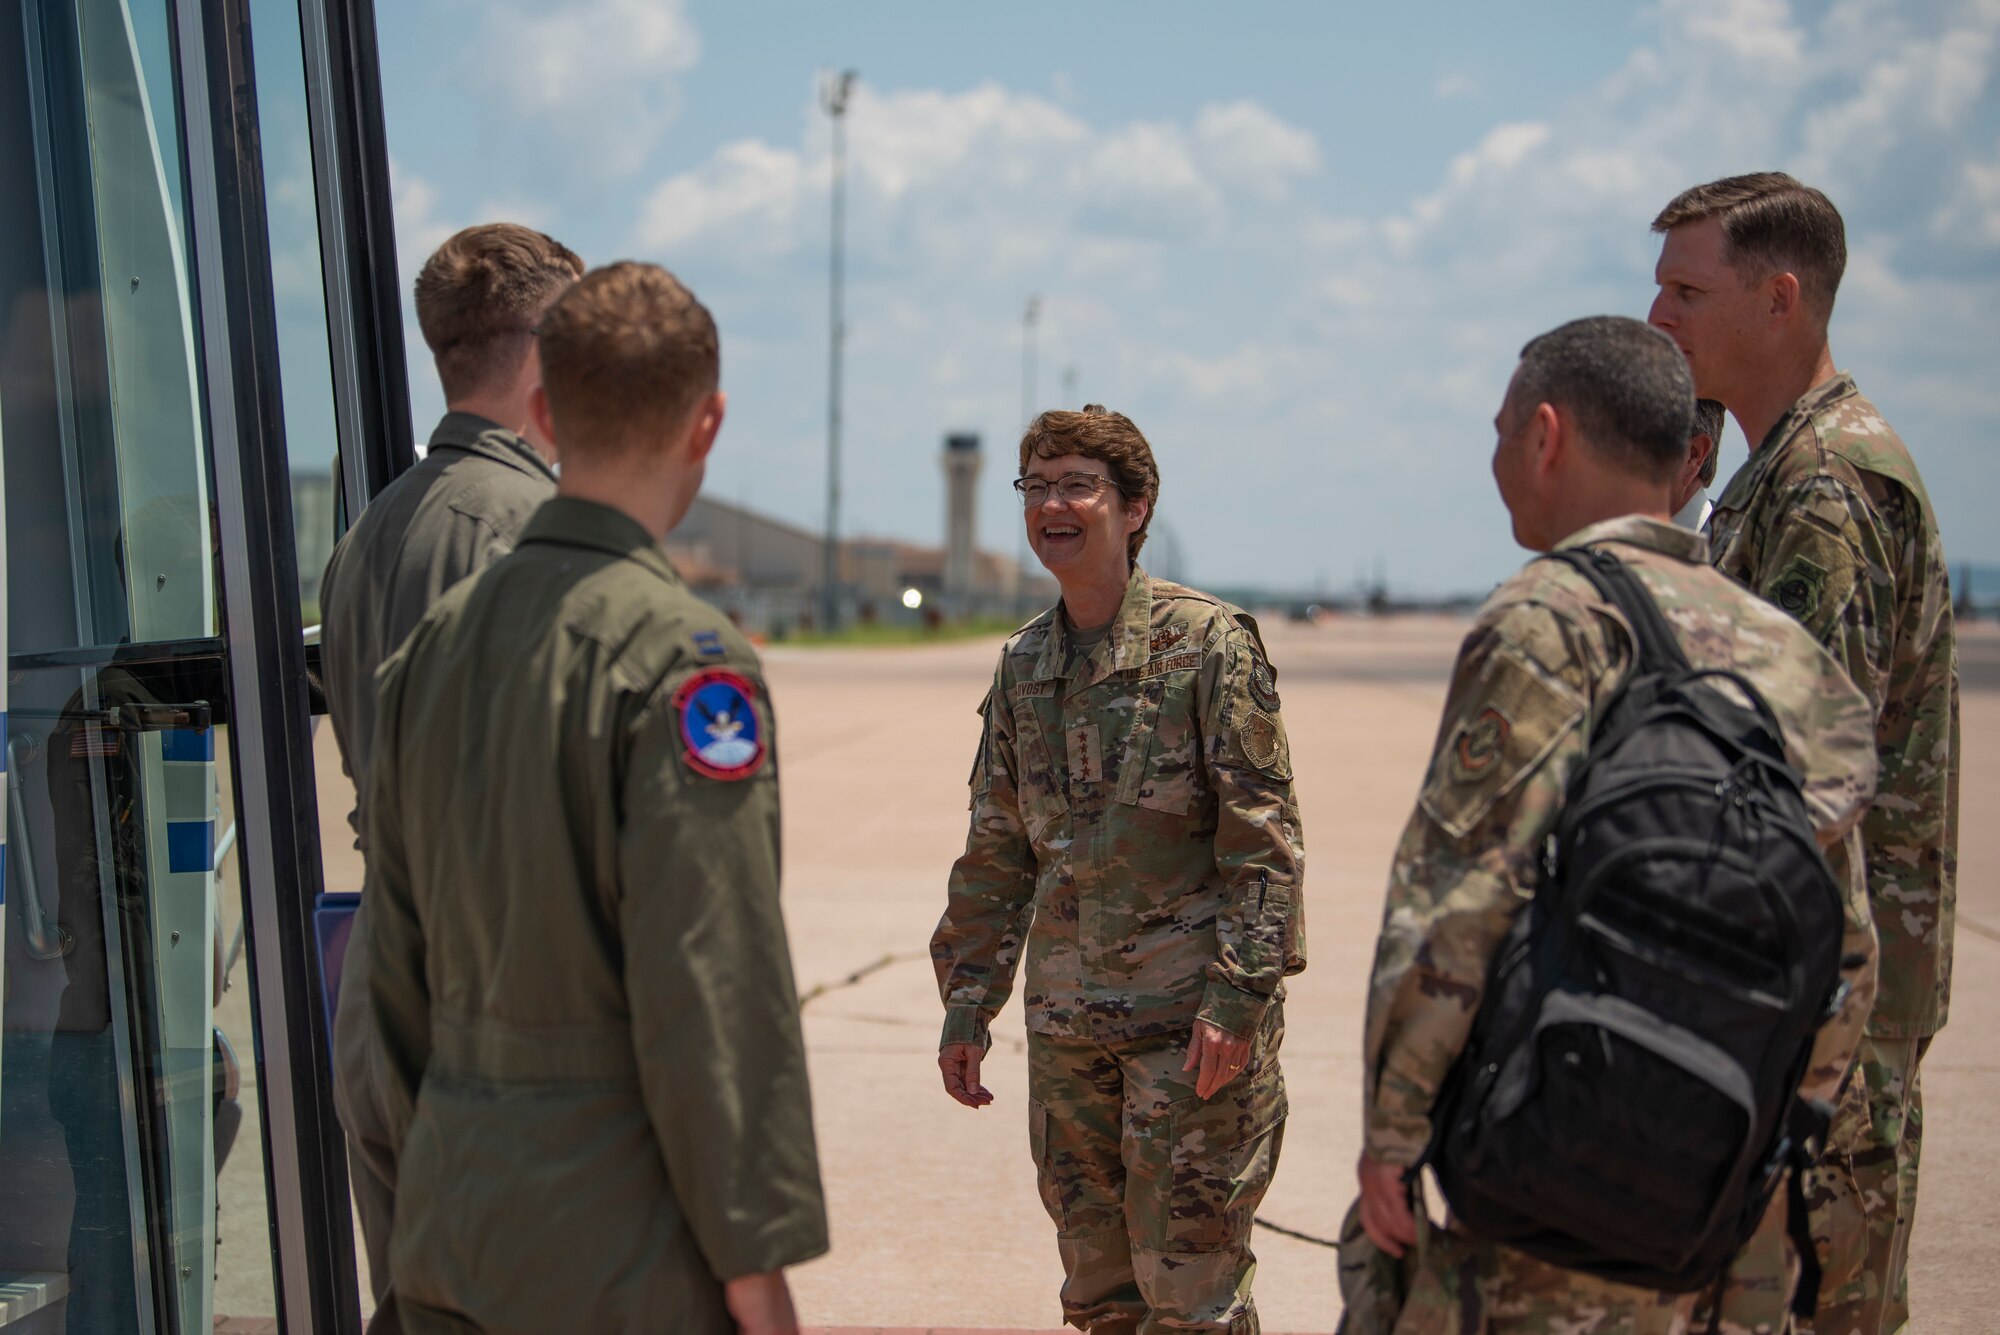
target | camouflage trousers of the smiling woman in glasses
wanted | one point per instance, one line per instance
(1153, 1190)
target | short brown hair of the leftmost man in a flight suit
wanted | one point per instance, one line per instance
(479, 299)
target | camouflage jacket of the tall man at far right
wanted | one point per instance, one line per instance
(1831, 523)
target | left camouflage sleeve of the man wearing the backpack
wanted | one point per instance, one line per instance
(1515, 728)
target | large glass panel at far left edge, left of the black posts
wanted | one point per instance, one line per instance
(117, 1098)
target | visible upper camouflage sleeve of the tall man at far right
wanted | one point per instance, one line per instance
(1829, 567)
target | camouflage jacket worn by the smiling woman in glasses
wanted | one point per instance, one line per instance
(1135, 804)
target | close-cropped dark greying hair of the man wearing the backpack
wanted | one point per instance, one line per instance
(1625, 387)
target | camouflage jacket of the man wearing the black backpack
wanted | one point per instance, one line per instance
(1545, 655)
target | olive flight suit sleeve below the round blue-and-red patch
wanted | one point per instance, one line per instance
(715, 1010)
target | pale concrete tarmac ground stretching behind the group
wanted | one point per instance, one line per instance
(935, 1216)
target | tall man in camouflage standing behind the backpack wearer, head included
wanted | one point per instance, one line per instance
(1831, 523)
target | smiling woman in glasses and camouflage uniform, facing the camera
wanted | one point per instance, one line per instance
(1133, 822)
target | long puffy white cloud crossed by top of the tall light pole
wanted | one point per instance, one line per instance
(985, 177)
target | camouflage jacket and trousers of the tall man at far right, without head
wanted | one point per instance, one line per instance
(1831, 523)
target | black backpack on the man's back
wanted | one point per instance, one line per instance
(1629, 1096)
